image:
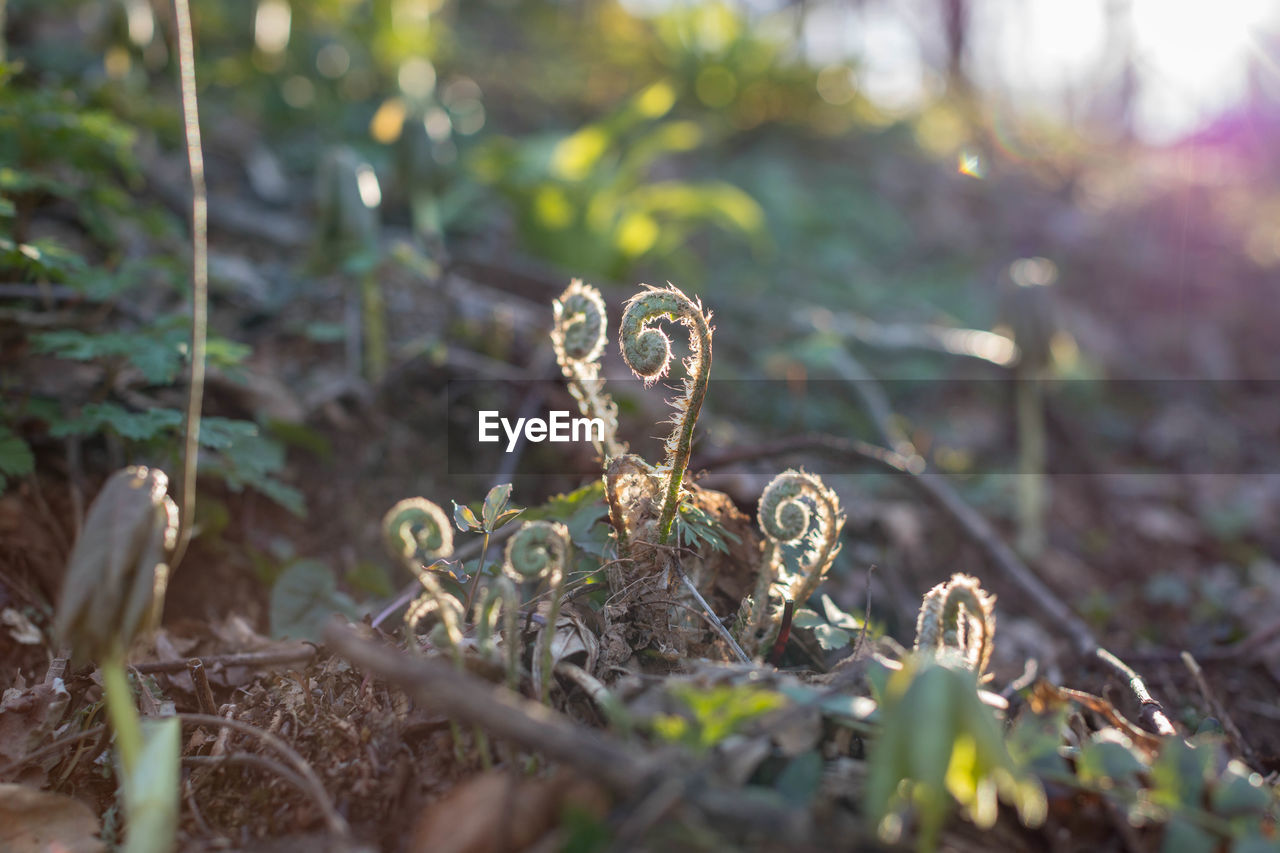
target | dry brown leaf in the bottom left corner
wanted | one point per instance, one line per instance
(38, 822)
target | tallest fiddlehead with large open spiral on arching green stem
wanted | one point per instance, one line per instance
(647, 352)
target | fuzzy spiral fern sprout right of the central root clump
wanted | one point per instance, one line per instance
(798, 509)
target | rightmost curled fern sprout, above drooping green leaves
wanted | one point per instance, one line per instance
(958, 617)
